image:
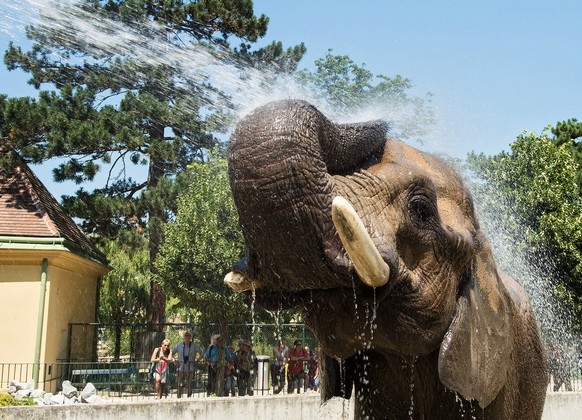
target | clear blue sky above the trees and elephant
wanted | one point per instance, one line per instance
(495, 68)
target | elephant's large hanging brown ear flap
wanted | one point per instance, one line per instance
(475, 353)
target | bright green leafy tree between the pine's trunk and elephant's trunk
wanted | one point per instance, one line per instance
(201, 245)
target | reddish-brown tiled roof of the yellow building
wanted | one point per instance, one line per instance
(29, 210)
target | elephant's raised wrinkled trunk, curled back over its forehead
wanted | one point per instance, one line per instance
(282, 158)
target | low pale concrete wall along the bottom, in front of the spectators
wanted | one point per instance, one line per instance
(559, 406)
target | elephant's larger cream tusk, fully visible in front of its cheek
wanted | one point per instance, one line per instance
(367, 261)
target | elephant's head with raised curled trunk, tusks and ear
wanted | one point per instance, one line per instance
(376, 241)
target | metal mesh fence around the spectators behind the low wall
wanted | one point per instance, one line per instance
(119, 365)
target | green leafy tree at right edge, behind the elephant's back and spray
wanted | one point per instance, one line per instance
(536, 183)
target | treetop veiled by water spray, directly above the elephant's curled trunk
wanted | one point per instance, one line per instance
(349, 88)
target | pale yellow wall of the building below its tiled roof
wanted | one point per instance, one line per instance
(70, 297)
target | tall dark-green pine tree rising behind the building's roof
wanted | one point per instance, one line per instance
(109, 108)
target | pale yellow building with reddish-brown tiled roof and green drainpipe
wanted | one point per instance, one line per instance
(49, 276)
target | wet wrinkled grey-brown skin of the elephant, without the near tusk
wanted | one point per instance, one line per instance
(447, 336)
